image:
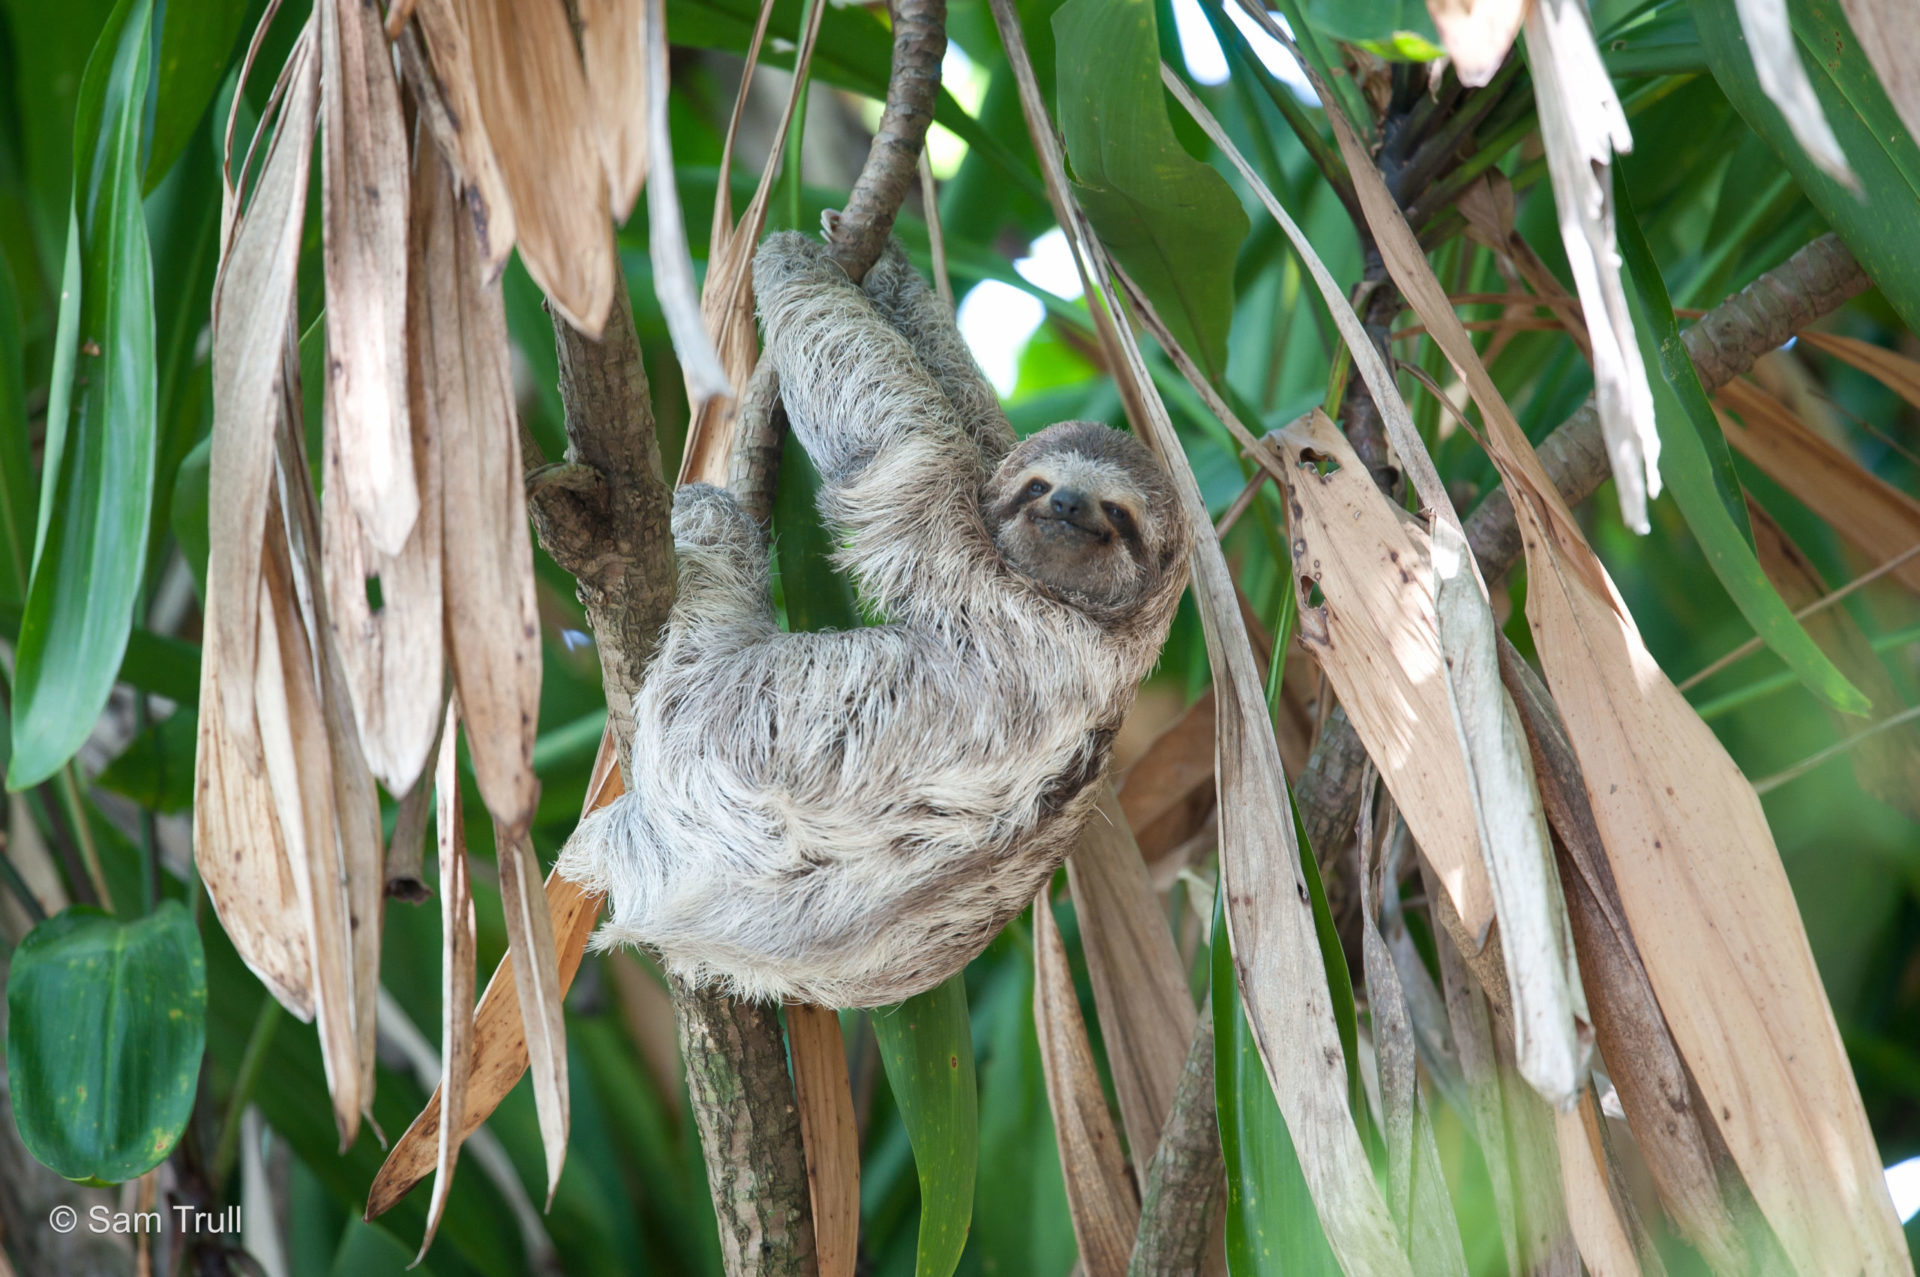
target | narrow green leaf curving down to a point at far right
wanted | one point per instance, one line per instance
(1700, 471)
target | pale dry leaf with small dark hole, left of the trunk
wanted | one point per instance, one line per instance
(393, 652)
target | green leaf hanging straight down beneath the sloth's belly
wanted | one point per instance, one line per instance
(928, 1049)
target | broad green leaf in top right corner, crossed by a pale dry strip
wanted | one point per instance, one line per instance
(1879, 224)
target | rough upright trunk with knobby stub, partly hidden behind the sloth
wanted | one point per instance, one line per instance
(606, 516)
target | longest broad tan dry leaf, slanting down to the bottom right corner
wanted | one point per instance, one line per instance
(1691, 850)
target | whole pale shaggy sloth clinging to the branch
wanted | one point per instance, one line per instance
(850, 817)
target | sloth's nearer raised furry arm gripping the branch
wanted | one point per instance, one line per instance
(901, 475)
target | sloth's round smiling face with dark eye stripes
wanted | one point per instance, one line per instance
(1088, 514)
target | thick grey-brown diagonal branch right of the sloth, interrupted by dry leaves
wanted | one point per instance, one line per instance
(1723, 345)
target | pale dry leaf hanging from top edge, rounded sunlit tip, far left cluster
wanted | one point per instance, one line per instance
(364, 216)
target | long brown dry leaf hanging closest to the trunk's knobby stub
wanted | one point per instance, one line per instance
(492, 625)
